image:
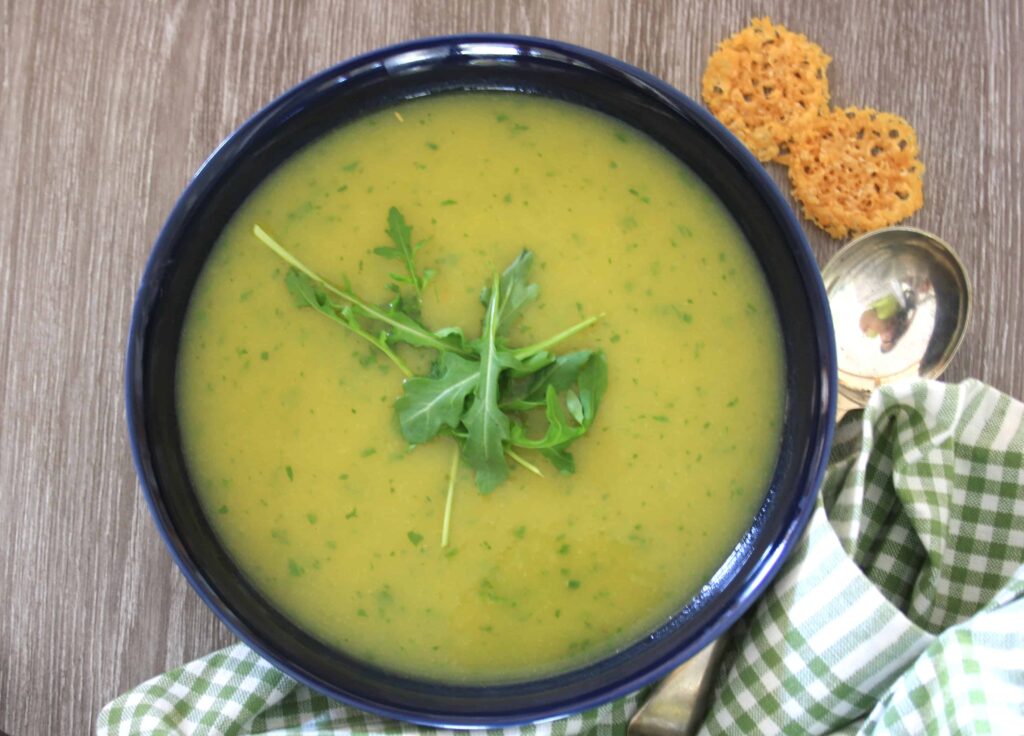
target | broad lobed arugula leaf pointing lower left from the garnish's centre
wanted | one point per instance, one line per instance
(433, 403)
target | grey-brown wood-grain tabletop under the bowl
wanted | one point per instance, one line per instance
(107, 109)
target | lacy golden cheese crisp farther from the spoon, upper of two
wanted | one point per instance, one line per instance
(765, 83)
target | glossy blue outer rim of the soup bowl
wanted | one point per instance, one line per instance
(767, 568)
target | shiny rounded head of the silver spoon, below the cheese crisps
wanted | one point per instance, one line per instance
(901, 301)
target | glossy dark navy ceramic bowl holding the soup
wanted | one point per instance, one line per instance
(480, 63)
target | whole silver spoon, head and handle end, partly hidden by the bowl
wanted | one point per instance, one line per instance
(901, 301)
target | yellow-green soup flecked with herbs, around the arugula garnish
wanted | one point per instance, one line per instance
(290, 431)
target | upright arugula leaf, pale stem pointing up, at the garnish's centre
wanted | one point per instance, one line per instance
(487, 424)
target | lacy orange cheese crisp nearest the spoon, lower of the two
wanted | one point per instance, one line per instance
(857, 170)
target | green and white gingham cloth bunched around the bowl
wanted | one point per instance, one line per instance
(901, 613)
